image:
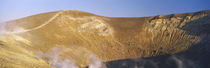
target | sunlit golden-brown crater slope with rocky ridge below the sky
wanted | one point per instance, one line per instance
(47, 39)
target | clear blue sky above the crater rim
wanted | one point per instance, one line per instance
(14, 9)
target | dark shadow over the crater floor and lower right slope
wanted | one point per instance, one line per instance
(196, 56)
